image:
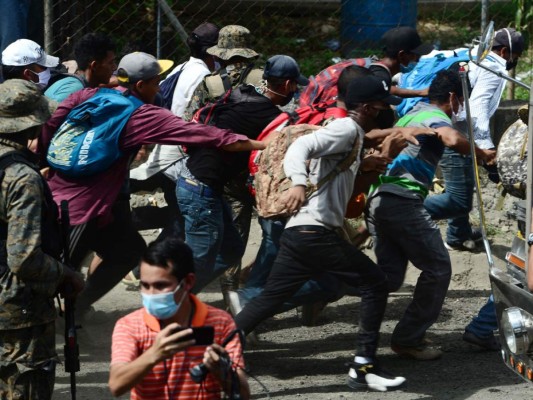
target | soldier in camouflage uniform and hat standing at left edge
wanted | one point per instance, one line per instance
(30, 274)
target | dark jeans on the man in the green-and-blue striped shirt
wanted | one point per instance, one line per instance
(403, 231)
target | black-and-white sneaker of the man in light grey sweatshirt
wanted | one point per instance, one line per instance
(371, 376)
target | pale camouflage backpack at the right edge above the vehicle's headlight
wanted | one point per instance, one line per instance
(512, 157)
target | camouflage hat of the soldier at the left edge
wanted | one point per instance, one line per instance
(22, 106)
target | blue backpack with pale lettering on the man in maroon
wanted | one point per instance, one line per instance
(87, 141)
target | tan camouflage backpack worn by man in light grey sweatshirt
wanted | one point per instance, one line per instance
(271, 183)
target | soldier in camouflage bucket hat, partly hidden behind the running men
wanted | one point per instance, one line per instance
(237, 60)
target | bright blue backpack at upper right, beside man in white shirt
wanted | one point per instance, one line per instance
(424, 73)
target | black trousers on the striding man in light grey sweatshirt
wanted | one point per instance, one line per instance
(307, 252)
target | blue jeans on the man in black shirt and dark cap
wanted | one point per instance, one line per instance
(209, 231)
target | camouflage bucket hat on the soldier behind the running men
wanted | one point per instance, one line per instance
(233, 40)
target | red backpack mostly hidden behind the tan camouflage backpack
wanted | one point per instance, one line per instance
(310, 115)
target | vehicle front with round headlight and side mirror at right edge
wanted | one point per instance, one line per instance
(512, 288)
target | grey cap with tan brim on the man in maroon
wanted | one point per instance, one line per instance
(141, 66)
